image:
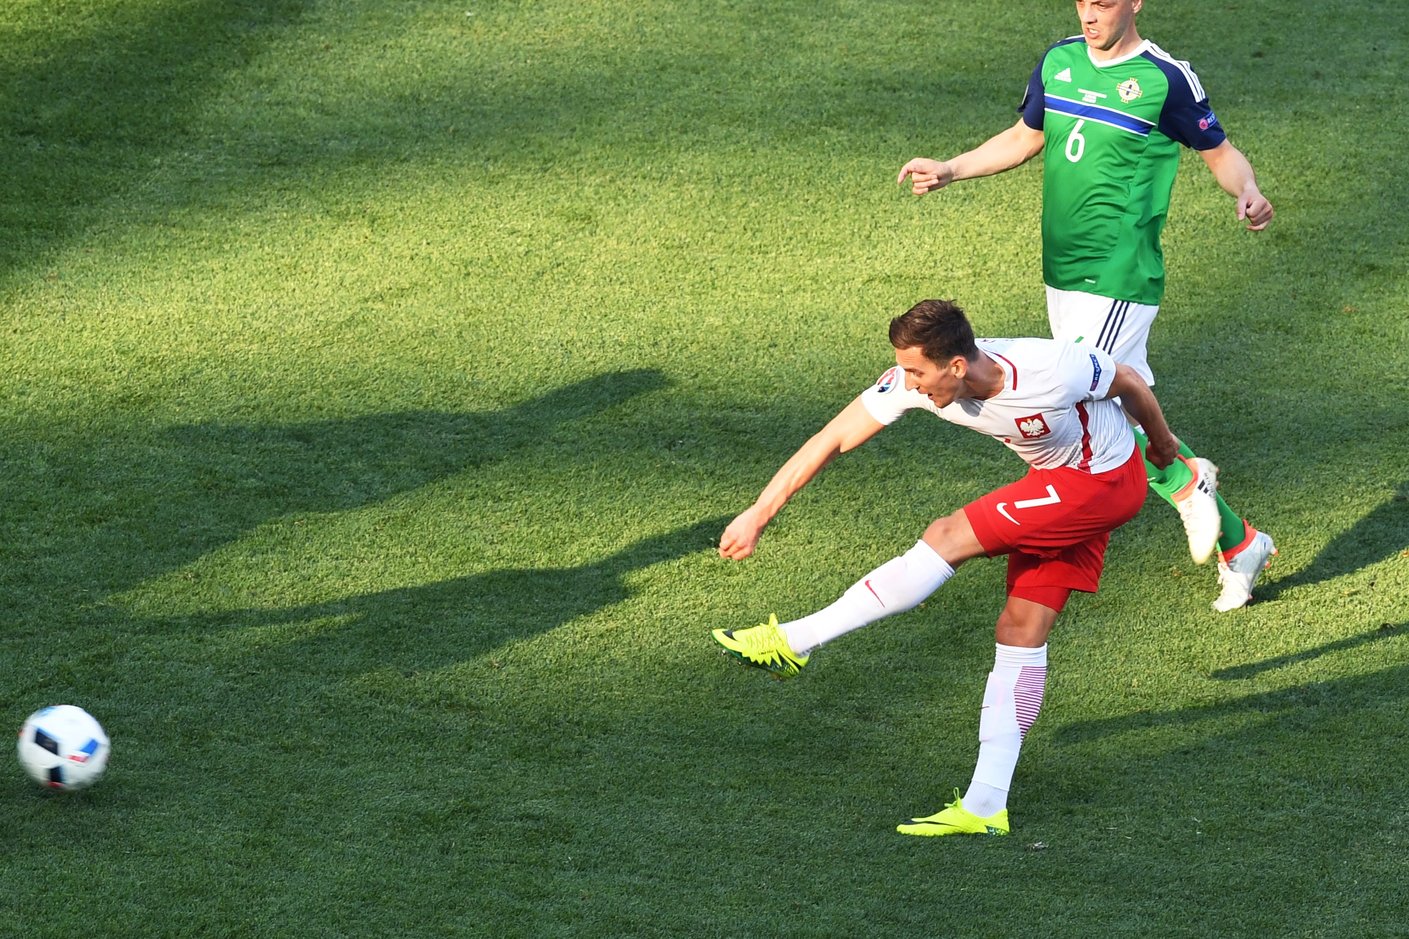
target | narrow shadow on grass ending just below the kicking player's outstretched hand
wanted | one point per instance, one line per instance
(435, 625)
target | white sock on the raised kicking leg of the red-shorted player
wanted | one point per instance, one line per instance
(895, 587)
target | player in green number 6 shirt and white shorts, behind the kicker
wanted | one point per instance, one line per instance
(1110, 112)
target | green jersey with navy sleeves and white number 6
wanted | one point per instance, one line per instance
(1112, 135)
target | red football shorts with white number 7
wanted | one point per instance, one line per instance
(1055, 527)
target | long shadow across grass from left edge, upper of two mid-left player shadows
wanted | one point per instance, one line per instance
(191, 490)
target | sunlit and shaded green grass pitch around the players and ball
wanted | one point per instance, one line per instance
(378, 377)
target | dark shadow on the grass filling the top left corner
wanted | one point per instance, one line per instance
(105, 99)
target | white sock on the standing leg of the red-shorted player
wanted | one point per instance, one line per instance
(1012, 700)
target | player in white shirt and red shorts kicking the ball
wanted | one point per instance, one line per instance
(1053, 404)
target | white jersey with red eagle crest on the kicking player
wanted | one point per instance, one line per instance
(1052, 410)
